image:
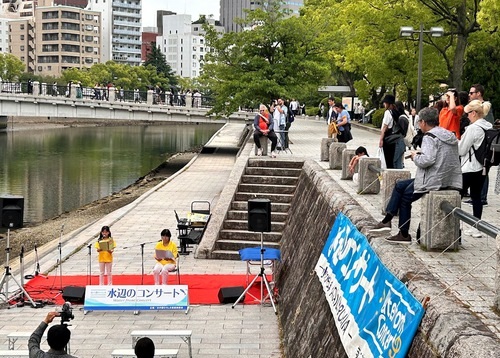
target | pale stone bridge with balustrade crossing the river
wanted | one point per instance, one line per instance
(39, 103)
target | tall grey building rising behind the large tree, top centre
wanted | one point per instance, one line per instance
(233, 9)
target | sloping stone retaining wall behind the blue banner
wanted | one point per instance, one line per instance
(448, 329)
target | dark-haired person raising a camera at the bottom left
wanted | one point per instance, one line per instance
(57, 338)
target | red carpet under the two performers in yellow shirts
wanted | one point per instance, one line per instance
(203, 289)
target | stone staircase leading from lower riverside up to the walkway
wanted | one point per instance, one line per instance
(271, 179)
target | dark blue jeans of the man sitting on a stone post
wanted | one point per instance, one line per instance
(401, 199)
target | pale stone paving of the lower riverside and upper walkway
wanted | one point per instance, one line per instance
(218, 331)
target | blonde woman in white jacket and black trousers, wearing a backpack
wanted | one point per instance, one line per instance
(472, 169)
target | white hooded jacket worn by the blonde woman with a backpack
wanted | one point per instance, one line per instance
(473, 136)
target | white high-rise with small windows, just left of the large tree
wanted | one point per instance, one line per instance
(183, 44)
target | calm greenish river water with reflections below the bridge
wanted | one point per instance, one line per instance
(60, 169)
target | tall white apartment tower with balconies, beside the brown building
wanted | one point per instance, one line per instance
(121, 30)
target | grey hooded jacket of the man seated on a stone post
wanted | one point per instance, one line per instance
(438, 165)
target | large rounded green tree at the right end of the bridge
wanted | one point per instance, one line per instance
(277, 56)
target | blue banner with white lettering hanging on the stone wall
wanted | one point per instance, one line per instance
(375, 314)
